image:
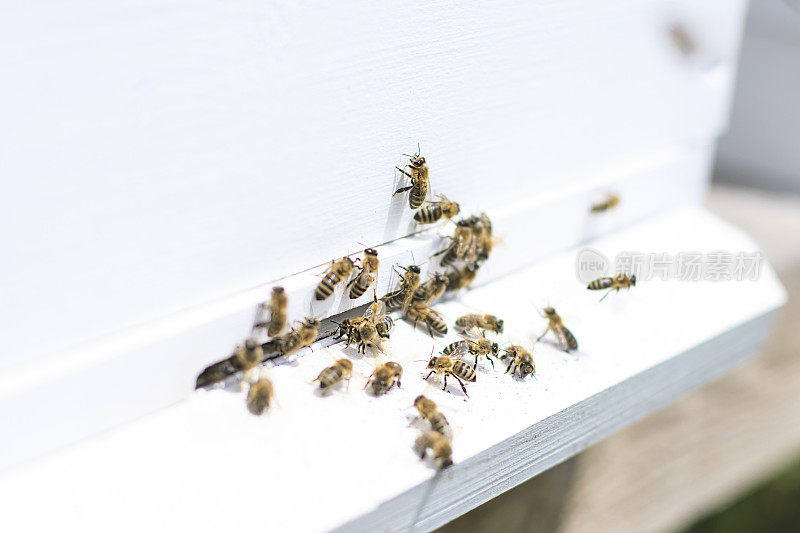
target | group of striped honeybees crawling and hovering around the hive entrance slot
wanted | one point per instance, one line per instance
(458, 263)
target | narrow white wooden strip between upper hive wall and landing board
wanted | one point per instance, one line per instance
(180, 346)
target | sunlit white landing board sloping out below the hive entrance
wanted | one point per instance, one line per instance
(314, 463)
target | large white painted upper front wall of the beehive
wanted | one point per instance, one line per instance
(163, 155)
